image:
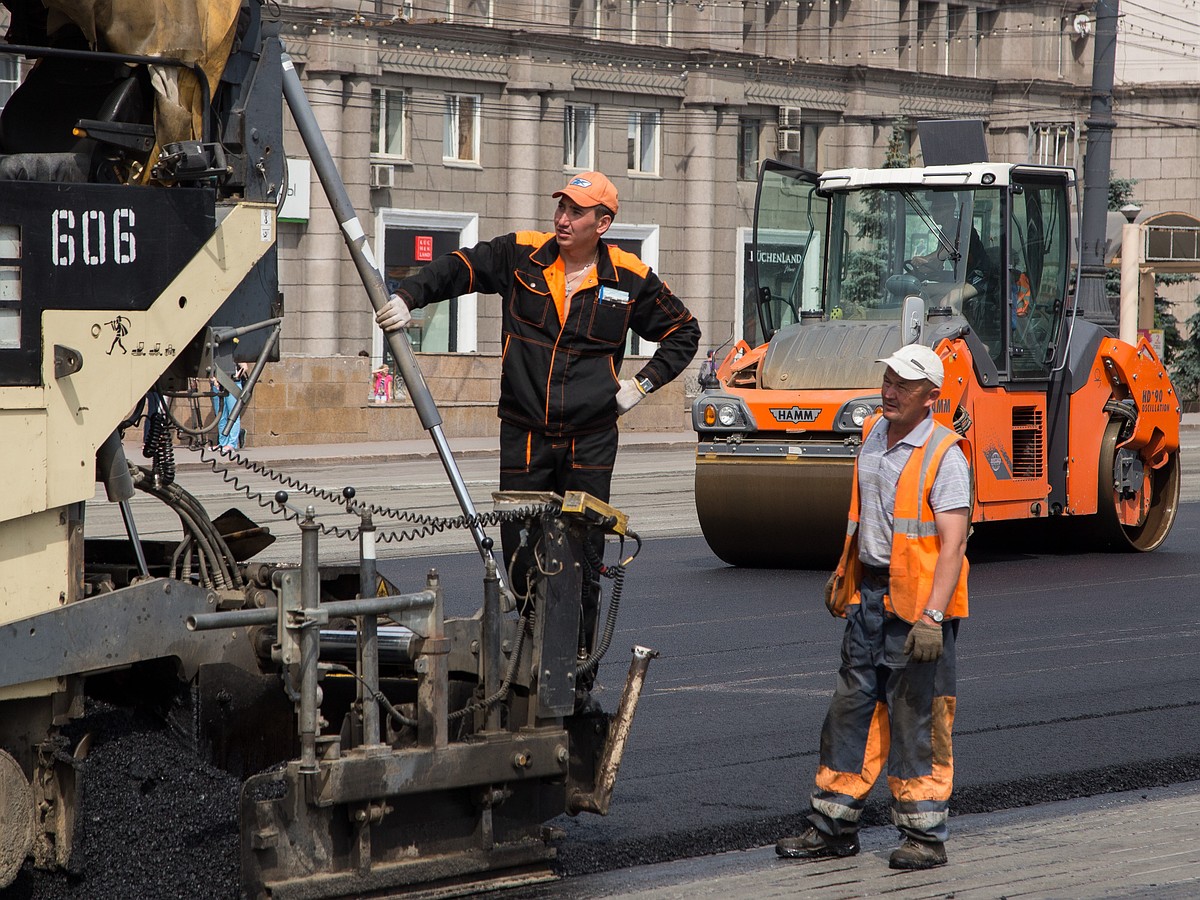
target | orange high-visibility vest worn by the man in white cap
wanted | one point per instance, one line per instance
(915, 541)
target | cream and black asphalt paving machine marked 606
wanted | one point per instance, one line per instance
(367, 742)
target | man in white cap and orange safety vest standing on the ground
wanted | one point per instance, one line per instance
(902, 586)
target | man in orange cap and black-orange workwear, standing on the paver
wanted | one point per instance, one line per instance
(571, 301)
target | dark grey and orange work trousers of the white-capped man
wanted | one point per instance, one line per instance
(887, 711)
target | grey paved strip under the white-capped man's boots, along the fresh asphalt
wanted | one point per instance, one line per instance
(1137, 844)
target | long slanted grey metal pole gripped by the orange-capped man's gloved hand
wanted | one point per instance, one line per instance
(377, 292)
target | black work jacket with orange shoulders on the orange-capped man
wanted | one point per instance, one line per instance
(561, 364)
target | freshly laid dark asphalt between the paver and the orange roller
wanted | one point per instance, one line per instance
(1077, 677)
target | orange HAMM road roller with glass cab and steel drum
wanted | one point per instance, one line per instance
(1067, 427)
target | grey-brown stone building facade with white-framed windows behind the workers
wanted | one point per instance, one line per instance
(454, 121)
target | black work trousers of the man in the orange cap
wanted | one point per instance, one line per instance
(531, 461)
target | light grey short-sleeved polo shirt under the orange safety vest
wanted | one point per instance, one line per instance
(879, 473)
